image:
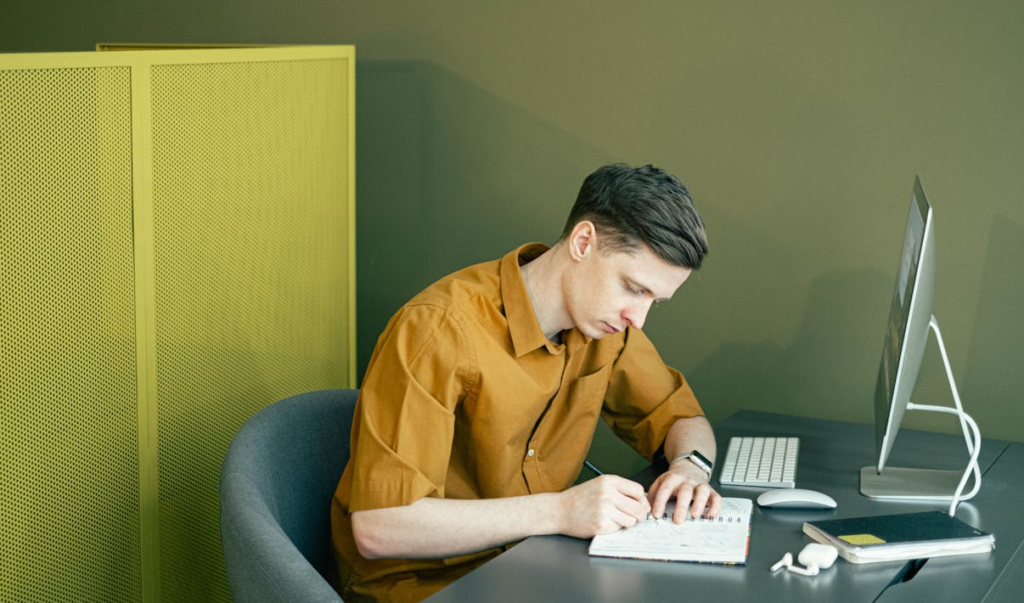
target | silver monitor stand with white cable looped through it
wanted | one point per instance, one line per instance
(930, 485)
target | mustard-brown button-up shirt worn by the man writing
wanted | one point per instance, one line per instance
(465, 398)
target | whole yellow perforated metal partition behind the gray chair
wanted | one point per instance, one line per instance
(177, 252)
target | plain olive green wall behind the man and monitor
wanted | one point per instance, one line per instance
(799, 128)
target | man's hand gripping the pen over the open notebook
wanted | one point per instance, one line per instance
(604, 505)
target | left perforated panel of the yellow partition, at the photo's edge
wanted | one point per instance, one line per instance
(69, 415)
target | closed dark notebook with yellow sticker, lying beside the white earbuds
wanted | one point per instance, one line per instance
(907, 536)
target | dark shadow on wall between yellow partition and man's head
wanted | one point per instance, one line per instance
(449, 176)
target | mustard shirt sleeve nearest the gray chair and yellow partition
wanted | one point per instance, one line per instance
(405, 422)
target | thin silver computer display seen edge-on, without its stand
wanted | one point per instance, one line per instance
(907, 332)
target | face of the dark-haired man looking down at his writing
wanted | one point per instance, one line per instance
(609, 292)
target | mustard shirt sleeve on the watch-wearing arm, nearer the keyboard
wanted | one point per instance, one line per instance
(646, 398)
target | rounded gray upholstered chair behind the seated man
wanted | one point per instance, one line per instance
(277, 484)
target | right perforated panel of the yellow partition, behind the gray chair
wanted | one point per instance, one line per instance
(252, 271)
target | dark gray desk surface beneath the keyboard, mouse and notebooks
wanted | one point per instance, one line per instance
(559, 570)
